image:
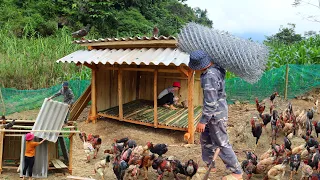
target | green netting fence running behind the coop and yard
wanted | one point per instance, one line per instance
(302, 78)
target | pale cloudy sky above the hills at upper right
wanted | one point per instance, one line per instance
(257, 18)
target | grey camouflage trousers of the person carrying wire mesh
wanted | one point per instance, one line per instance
(214, 136)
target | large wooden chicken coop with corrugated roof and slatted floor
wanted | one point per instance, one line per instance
(127, 76)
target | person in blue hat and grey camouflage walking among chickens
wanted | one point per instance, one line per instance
(213, 122)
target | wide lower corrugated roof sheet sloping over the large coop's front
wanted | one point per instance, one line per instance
(147, 56)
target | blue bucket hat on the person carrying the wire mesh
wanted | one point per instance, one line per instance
(199, 60)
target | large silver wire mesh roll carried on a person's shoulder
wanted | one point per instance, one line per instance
(244, 58)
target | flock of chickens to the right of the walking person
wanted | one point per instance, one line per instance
(272, 164)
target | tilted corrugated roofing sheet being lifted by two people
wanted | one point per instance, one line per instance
(51, 117)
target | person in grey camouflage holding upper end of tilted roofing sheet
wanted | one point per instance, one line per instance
(67, 95)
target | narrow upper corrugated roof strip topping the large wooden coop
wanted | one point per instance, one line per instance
(137, 38)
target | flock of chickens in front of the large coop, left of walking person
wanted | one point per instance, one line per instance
(128, 159)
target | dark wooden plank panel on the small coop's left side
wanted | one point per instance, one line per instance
(12, 148)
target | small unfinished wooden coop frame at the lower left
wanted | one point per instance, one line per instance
(12, 142)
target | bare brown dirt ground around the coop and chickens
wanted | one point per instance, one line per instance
(239, 130)
